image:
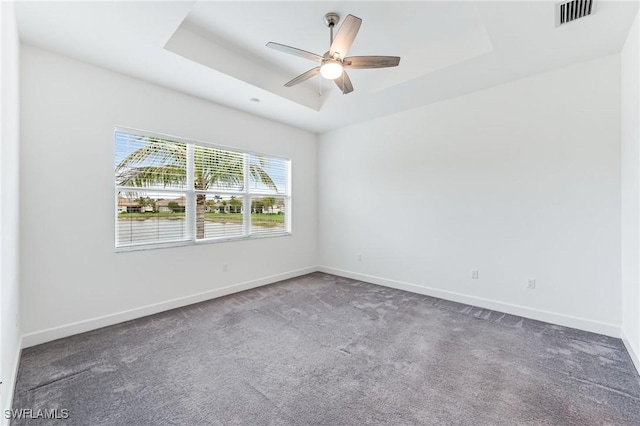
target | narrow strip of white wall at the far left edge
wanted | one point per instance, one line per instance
(9, 200)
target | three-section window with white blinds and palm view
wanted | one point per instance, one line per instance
(171, 192)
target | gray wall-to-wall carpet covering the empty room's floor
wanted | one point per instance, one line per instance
(323, 350)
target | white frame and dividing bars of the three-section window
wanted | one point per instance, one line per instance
(190, 194)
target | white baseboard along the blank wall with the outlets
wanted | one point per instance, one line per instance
(523, 311)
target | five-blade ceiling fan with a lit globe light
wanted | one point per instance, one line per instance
(334, 62)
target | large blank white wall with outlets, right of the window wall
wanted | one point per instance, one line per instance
(520, 180)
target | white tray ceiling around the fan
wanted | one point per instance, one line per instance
(216, 50)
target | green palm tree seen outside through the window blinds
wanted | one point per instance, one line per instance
(162, 163)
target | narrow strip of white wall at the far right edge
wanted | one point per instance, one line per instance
(630, 89)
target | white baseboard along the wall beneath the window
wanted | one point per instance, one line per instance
(66, 330)
